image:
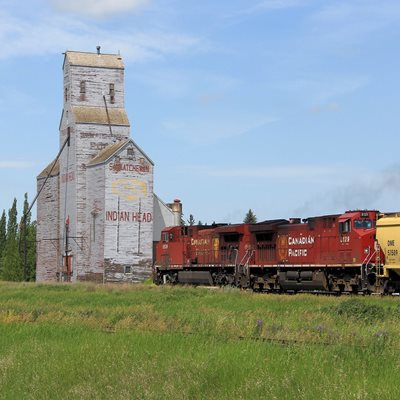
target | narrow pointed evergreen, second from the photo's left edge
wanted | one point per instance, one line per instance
(11, 260)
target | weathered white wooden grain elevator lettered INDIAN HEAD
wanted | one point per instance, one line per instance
(97, 215)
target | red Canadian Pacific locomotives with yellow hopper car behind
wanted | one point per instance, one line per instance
(354, 252)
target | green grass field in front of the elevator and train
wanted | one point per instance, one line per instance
(147, 342)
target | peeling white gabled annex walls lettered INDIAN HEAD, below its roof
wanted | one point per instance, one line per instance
(121, 192)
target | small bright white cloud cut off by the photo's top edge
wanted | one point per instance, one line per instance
(98, 8)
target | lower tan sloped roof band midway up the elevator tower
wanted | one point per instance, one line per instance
(98, 115)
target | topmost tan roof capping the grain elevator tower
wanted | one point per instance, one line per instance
(86, 59)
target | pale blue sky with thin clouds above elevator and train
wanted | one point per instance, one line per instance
(288, 107)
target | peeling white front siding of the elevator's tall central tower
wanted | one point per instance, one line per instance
(87, 140)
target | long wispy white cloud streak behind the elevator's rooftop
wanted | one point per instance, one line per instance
(51, 35)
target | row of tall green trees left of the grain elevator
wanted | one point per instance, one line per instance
(17, 244)
